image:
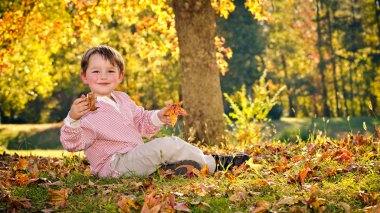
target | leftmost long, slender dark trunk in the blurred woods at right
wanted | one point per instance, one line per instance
(322, 64)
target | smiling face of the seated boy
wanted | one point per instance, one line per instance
(101, 76)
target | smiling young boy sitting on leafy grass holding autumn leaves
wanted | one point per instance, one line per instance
(111, 135)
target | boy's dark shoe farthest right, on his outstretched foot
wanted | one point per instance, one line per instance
(224, 162)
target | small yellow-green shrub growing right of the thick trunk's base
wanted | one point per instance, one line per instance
(250, 112)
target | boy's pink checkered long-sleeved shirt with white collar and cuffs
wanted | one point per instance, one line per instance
(112, 128)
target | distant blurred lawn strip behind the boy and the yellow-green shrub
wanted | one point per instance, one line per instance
(37, 138)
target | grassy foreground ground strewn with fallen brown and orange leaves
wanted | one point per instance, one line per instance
(321, 175)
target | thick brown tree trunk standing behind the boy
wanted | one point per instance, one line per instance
(196, 27)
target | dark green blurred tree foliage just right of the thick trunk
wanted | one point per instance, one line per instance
(247, 40)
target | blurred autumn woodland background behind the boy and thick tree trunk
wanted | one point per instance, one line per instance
(316, 61)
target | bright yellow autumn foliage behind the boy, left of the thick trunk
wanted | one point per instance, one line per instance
(40, 64)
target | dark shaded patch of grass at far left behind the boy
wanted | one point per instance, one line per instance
(28, 140)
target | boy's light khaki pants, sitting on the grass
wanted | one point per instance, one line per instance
(146, 158)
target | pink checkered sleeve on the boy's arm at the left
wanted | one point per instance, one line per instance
(76, 138)
